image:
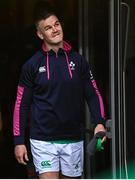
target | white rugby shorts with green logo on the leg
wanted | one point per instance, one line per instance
(54, 157)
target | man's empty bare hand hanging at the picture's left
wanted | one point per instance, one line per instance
(21, 154)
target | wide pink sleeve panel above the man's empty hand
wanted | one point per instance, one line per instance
(16, 118)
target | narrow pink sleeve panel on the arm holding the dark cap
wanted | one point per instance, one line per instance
(100, 98)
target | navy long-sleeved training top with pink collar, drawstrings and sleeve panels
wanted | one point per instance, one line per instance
(51, 93)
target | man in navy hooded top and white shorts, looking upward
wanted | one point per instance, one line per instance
(52, 90)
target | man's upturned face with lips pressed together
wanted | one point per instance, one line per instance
(50, 31)
